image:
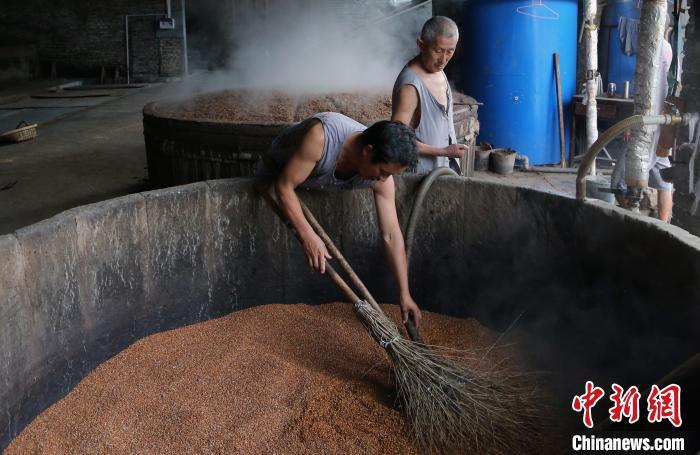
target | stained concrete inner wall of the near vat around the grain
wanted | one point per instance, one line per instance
(79, 287)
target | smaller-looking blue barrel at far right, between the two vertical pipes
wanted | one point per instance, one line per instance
(620, 66)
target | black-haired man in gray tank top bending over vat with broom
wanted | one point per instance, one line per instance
(332, 152)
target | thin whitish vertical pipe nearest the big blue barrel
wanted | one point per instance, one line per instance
(591, 7)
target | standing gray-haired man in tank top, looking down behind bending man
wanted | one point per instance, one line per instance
(422, 98)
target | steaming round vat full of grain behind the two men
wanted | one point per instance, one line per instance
(224, 134)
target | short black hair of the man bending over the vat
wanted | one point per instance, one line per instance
(392, 142)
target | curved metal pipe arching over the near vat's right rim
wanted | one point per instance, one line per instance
(612, 133)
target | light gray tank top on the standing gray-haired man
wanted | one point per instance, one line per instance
(436, 126)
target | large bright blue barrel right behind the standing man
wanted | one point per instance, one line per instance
(509, 51)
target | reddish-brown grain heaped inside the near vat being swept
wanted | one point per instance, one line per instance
(271, 379)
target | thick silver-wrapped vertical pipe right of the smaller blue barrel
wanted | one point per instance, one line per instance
(651, 32)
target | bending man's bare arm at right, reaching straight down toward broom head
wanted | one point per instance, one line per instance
(384, 199)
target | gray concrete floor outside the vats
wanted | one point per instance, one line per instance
(90, 149)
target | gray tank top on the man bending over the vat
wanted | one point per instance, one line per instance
(336, 129)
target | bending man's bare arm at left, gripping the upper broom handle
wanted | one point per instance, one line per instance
(297, 169)
